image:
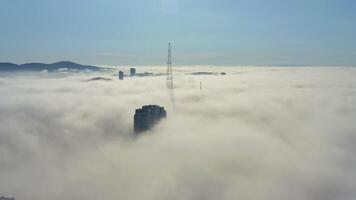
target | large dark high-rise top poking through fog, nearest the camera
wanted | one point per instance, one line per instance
(147, 116)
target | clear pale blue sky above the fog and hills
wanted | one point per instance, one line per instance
(203, 32)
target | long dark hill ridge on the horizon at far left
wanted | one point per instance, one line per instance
(63, 65)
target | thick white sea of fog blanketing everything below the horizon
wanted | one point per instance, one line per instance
(257, 133)
